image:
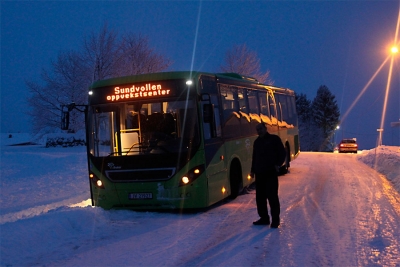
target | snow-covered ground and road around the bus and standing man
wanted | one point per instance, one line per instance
(337, 210)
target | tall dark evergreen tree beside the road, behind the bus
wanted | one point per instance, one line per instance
(325, 116)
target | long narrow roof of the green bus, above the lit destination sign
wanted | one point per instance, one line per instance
(221, 77)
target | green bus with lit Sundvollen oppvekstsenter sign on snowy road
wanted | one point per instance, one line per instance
(180, 140)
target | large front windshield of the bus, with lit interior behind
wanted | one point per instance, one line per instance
(143, 127)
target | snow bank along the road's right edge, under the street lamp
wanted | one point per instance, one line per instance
(385, 160)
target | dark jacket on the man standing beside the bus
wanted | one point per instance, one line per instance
(268, 152)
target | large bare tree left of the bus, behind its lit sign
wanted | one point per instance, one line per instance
(103, 55)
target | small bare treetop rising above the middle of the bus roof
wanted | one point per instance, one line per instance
(245, 62)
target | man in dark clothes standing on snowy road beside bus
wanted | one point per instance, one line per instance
(268, 155)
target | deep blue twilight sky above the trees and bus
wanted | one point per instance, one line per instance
(304, 44)
